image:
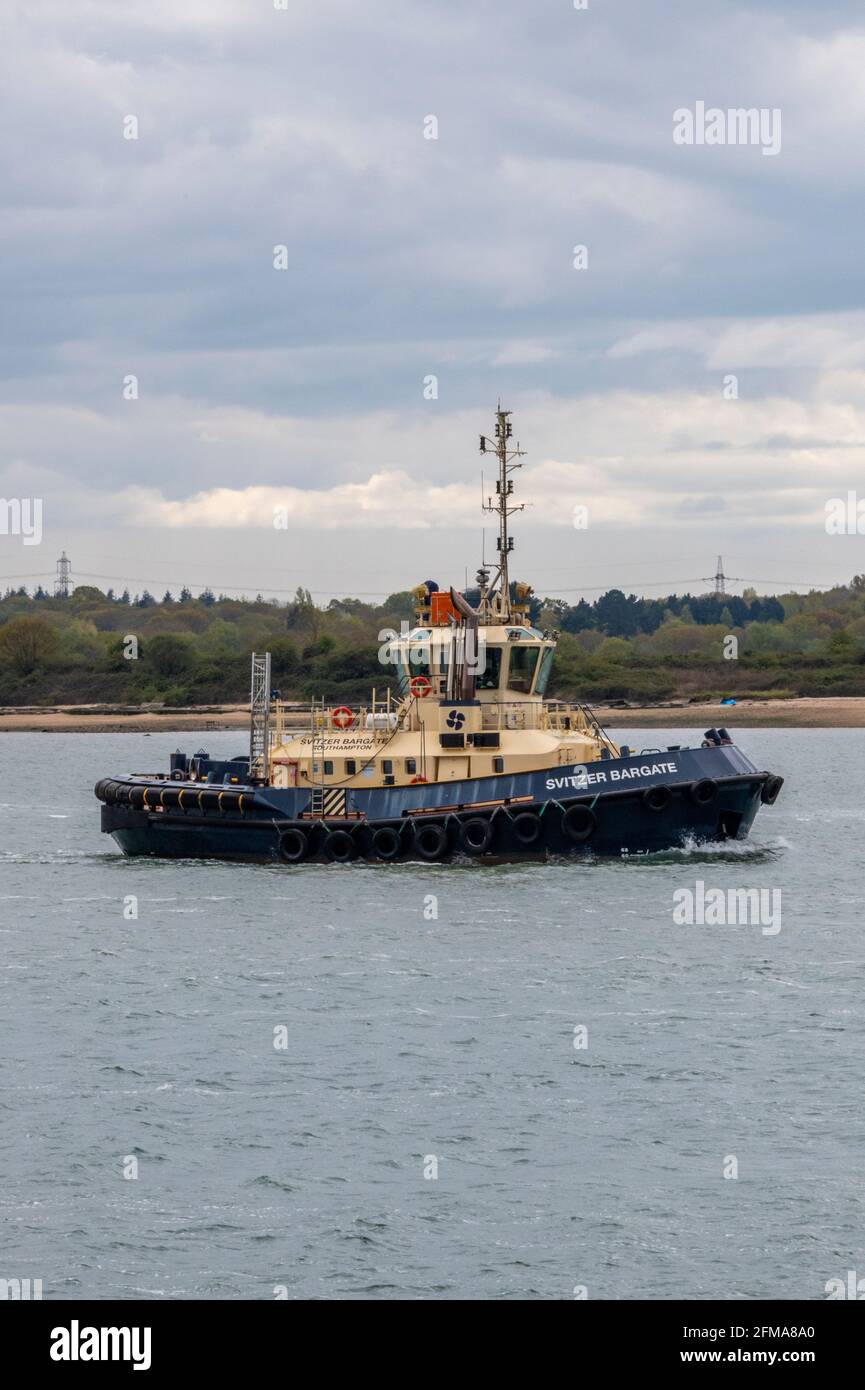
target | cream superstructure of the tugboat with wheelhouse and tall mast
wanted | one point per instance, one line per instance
(469, 692)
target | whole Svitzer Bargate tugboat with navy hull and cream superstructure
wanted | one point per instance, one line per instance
(464, 758)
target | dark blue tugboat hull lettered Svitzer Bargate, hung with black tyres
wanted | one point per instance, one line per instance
(632, 806)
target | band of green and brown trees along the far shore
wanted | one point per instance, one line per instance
(119, 648)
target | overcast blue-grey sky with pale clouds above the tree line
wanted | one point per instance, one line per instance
(268, 262)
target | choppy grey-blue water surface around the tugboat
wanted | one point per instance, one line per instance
(412, 1039)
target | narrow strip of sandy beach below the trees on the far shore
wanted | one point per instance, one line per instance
(782, 714)
